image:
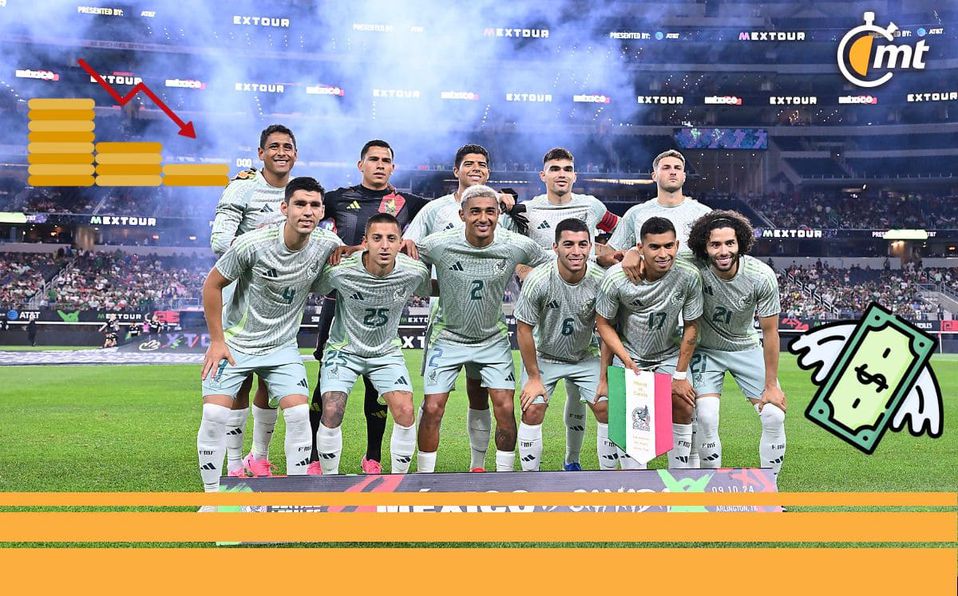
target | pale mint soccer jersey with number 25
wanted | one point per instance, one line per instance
(369, 308)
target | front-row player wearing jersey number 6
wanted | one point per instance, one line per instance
(555, 326)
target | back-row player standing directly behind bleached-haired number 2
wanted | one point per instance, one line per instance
(471, 168)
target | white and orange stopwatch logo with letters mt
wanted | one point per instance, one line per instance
(862, 60)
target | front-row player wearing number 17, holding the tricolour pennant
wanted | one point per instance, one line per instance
(637, 323)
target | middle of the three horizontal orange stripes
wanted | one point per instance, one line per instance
(525, 527)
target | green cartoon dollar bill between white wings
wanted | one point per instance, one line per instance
(873, 372)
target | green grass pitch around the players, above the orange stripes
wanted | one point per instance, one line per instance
(133, 428)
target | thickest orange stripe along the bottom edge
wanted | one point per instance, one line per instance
(466, 571)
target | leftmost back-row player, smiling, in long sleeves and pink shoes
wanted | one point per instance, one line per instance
(251, 201)
